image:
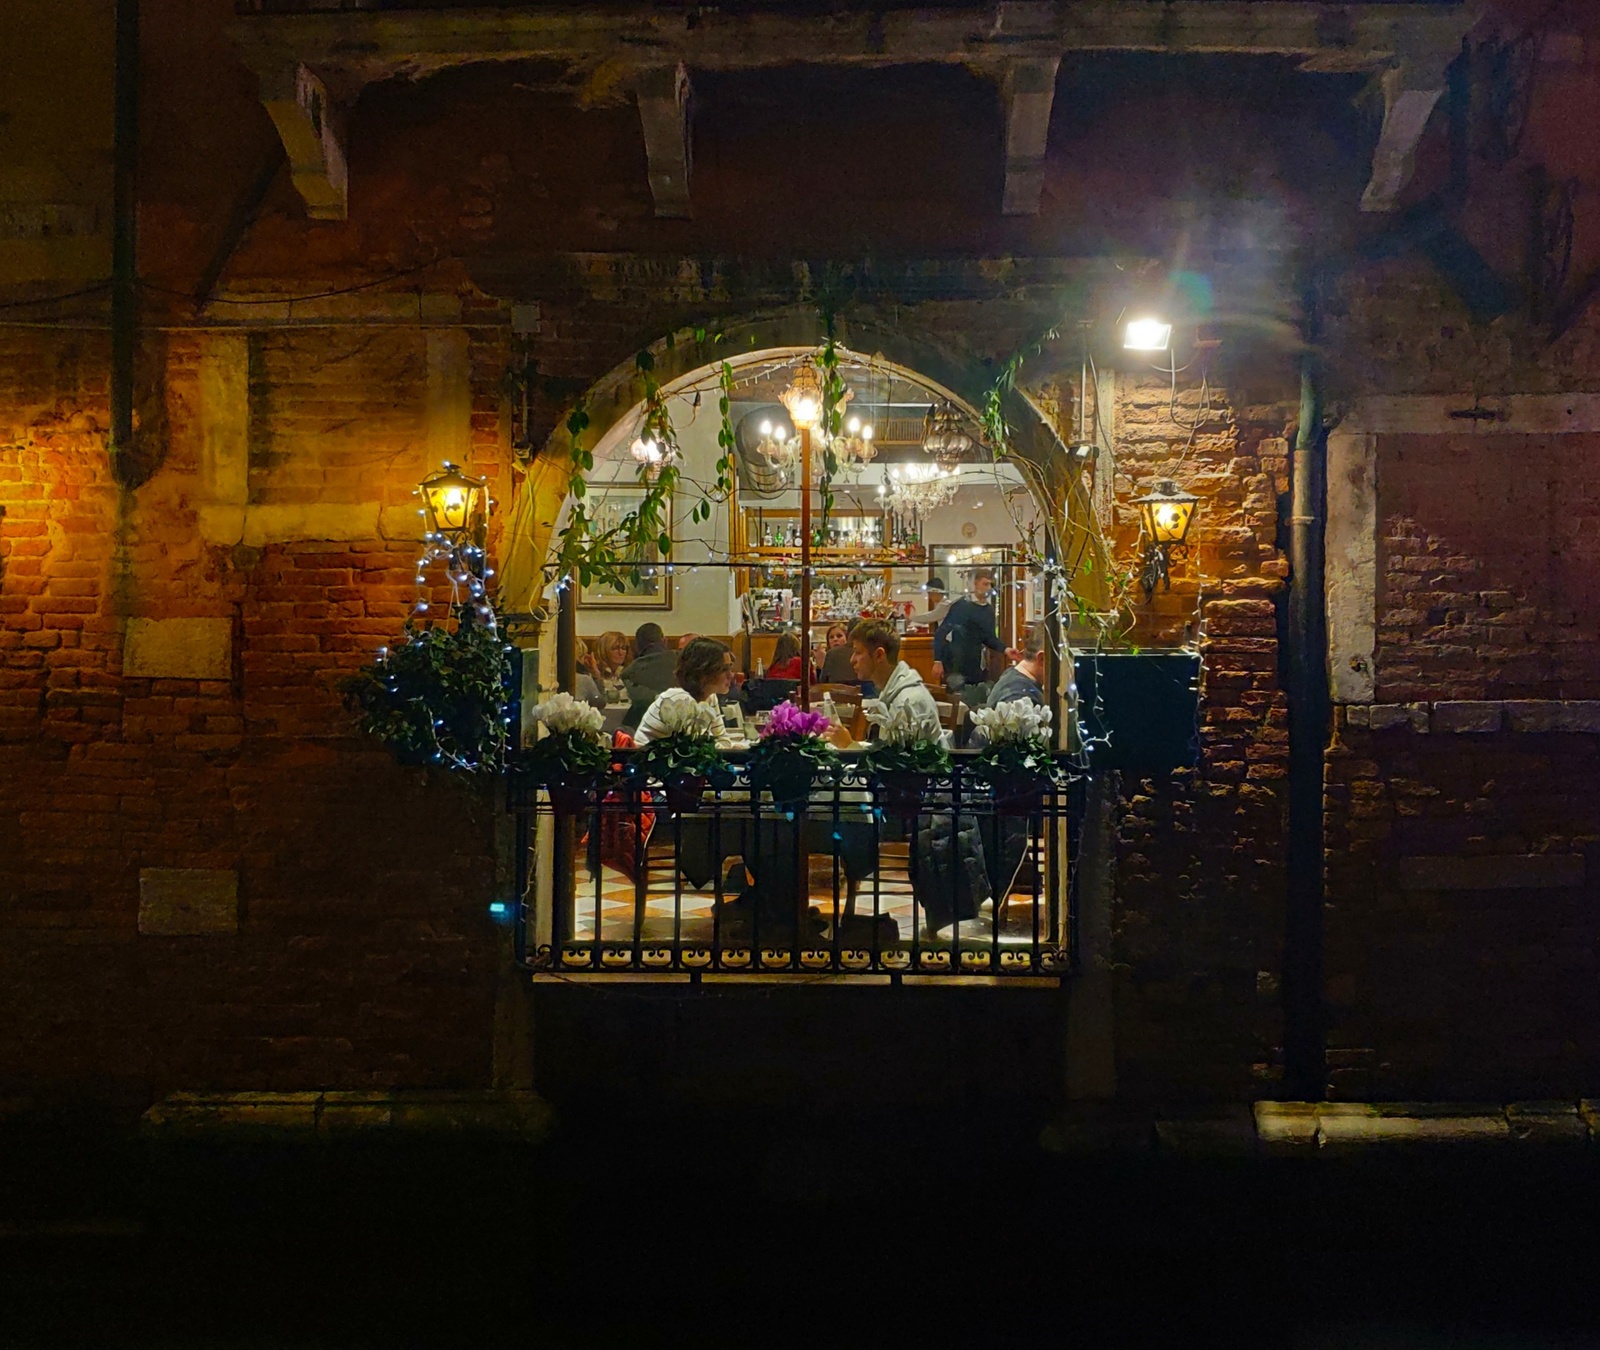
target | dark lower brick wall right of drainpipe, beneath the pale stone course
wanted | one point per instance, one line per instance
(1463, 900)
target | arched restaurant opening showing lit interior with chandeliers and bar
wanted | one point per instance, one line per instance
(839, 879)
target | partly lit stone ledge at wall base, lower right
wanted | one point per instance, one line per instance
(1326, 1128)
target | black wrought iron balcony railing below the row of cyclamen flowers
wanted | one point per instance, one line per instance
(854, 882)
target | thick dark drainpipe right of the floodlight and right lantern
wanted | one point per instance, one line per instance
(1305, 1048)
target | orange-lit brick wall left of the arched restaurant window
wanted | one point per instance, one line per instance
(364, 953)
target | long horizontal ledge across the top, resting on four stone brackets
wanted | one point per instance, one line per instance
(367, 46)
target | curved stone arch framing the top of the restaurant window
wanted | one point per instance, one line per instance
(678, 359)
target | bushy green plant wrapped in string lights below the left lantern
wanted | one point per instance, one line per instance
(438, 697)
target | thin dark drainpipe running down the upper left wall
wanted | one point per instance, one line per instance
(126, 236)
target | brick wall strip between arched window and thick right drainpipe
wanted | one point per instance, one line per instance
(1199, 889)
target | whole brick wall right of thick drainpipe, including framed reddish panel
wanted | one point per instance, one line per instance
(1462, 930)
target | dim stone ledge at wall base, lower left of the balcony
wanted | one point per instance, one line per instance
(287, 1117)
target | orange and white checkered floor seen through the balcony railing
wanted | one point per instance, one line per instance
(695, 908)
